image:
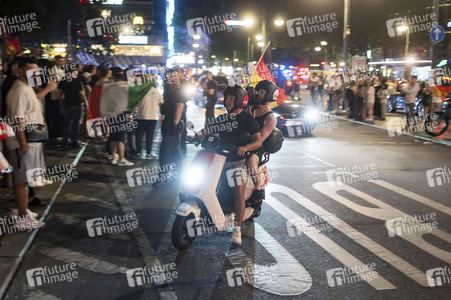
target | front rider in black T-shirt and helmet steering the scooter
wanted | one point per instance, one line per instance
(235, 100)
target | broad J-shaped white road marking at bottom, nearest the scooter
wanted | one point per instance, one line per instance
(290, 277)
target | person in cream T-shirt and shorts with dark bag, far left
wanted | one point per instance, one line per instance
(24, 107)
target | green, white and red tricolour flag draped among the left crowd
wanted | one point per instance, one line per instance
(112, 99)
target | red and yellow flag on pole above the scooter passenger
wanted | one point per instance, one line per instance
(265, 70)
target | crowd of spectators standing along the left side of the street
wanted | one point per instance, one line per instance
(55, 94)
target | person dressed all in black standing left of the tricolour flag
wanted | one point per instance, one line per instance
(74, 94)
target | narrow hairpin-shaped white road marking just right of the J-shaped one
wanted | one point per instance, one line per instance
(346, 258)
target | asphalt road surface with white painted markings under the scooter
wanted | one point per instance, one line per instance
(386, 178)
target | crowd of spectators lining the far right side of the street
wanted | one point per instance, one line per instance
(365, 99)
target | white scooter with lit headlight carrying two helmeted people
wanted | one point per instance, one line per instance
(206, 198)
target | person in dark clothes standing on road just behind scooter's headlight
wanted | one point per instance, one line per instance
(172, 111)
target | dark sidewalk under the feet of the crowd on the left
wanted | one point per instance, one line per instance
(14, 246)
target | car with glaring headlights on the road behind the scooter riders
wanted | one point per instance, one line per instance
(294, 119)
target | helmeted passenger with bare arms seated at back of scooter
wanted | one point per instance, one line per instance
(267, 92)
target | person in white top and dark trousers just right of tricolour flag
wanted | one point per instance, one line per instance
(147, 117)
